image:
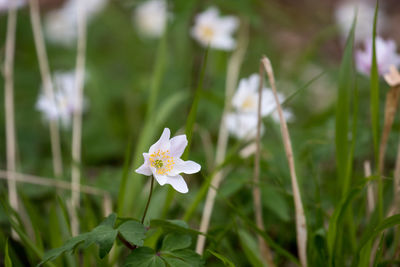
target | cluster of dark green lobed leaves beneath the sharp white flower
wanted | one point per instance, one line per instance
(174, 251)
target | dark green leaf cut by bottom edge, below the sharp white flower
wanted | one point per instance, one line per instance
(144, 257)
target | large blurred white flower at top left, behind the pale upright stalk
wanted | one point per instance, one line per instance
(61, 25)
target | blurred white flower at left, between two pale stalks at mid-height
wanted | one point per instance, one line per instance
(65, 103)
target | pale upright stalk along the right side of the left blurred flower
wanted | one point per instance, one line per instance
(77, 118)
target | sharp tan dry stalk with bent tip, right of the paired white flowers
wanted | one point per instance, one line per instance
(301, 227)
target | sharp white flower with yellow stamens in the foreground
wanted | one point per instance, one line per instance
(164, 163)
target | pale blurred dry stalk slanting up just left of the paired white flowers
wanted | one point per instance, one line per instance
(232, 76)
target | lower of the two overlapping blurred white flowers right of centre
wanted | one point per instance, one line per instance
(243, 125)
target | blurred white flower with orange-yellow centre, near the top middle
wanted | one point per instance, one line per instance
(211, 29)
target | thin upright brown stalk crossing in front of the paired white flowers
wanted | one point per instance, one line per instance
(263, 247)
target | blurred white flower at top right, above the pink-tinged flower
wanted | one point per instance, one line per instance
(344, 16)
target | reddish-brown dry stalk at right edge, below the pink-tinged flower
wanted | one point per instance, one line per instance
(392, 100)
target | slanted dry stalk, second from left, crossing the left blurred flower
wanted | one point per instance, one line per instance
(47, 84)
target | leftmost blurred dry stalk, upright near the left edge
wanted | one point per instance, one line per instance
(9, 107)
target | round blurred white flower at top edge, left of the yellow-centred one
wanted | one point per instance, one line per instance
(151, 18)
